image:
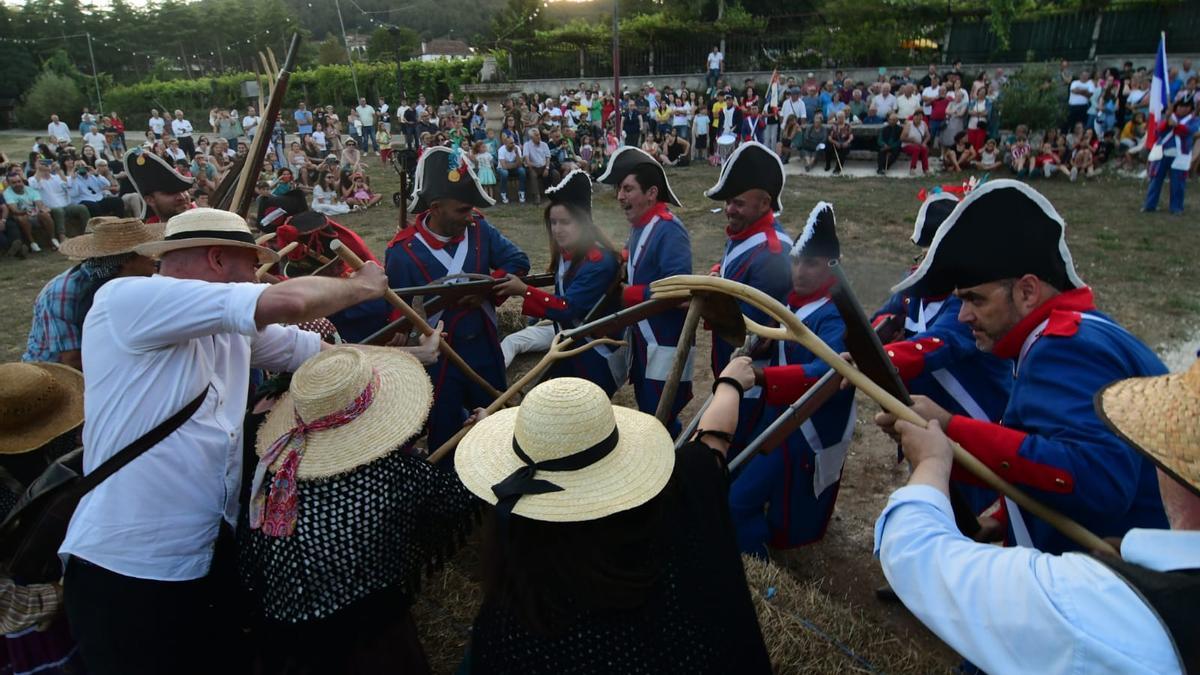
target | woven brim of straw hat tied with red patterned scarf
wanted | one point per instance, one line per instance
(397, 415)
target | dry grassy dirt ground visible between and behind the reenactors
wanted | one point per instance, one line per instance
(1143, 268)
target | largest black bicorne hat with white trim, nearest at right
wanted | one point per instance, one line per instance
(1001, 230)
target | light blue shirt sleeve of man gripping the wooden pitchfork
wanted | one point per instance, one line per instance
(1015, 610)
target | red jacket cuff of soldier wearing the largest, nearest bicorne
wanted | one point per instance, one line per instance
(999, 447)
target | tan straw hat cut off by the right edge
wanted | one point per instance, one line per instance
(1160, 417)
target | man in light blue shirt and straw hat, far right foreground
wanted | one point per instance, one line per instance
(1021, 611)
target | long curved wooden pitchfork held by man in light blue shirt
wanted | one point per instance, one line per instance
(793, 328)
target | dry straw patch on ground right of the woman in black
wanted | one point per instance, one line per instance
(803, 628)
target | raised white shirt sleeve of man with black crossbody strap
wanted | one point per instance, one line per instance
(149, 313)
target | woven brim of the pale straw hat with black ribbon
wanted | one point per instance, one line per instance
(632, 475)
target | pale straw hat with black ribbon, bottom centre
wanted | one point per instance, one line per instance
(559, 420)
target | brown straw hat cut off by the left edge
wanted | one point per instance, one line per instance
(39, 403)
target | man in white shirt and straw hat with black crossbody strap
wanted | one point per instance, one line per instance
(148, 588)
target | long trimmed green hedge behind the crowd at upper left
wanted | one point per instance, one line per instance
(321, 86)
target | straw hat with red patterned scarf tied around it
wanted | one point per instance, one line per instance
(332, 381)
